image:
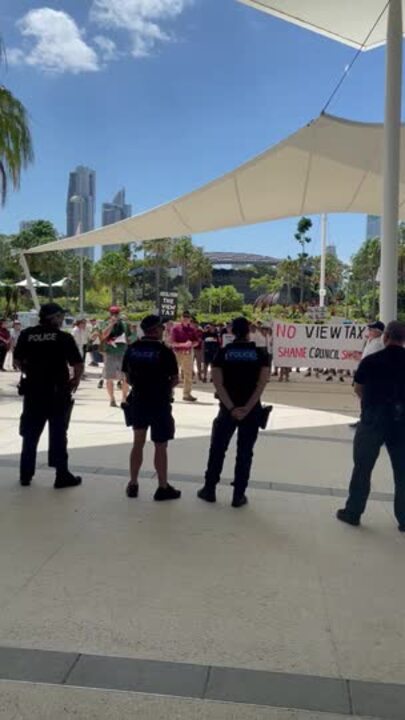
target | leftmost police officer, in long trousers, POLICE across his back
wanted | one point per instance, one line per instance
(44, 354)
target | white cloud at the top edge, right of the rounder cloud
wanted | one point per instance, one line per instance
(144, 19)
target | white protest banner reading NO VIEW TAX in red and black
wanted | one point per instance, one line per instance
(336, 347)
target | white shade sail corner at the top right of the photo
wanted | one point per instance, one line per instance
(347, 21)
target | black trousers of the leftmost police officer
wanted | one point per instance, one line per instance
(36, 413)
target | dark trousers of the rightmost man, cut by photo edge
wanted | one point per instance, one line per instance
(370, 436)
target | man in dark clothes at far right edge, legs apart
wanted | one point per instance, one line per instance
(380, 384)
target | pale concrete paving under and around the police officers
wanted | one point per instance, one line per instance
(277, 587)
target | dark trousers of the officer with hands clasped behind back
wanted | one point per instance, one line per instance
(223, 429)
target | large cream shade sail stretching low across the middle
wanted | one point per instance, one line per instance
(330, 166)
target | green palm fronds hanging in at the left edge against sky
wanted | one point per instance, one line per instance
(16, 151)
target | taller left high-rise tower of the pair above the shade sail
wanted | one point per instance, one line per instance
(81, 203)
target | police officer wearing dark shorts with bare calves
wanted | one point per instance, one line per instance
(151, 370)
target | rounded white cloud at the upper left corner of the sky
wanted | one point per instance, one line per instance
(53, 43)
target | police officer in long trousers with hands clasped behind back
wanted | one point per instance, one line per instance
(240, 374)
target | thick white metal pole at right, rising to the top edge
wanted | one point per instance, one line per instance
(392, 146)
